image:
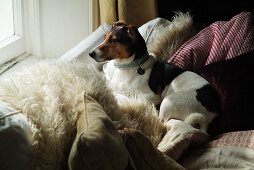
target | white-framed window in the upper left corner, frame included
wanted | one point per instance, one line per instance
(12, 39)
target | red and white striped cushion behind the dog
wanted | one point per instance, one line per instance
(220, 41)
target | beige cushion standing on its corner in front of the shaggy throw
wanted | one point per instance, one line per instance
(97, 144)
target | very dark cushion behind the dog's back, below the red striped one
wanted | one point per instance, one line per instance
(234, 81)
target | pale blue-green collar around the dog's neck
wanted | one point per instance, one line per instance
(132, 64)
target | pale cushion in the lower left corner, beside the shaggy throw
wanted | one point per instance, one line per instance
(15, 145)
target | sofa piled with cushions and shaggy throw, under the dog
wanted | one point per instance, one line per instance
(48, 100)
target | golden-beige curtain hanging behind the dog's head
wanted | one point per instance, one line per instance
(136, 12)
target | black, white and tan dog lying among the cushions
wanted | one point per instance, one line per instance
(131, 71)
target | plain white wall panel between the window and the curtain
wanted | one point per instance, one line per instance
(64, 23)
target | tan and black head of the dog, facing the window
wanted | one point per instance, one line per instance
(121, 42)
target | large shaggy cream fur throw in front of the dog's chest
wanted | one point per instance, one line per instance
(47, 94)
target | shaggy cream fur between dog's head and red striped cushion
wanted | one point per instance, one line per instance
(170, 39)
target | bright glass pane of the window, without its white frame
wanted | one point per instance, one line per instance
(6, 19)
